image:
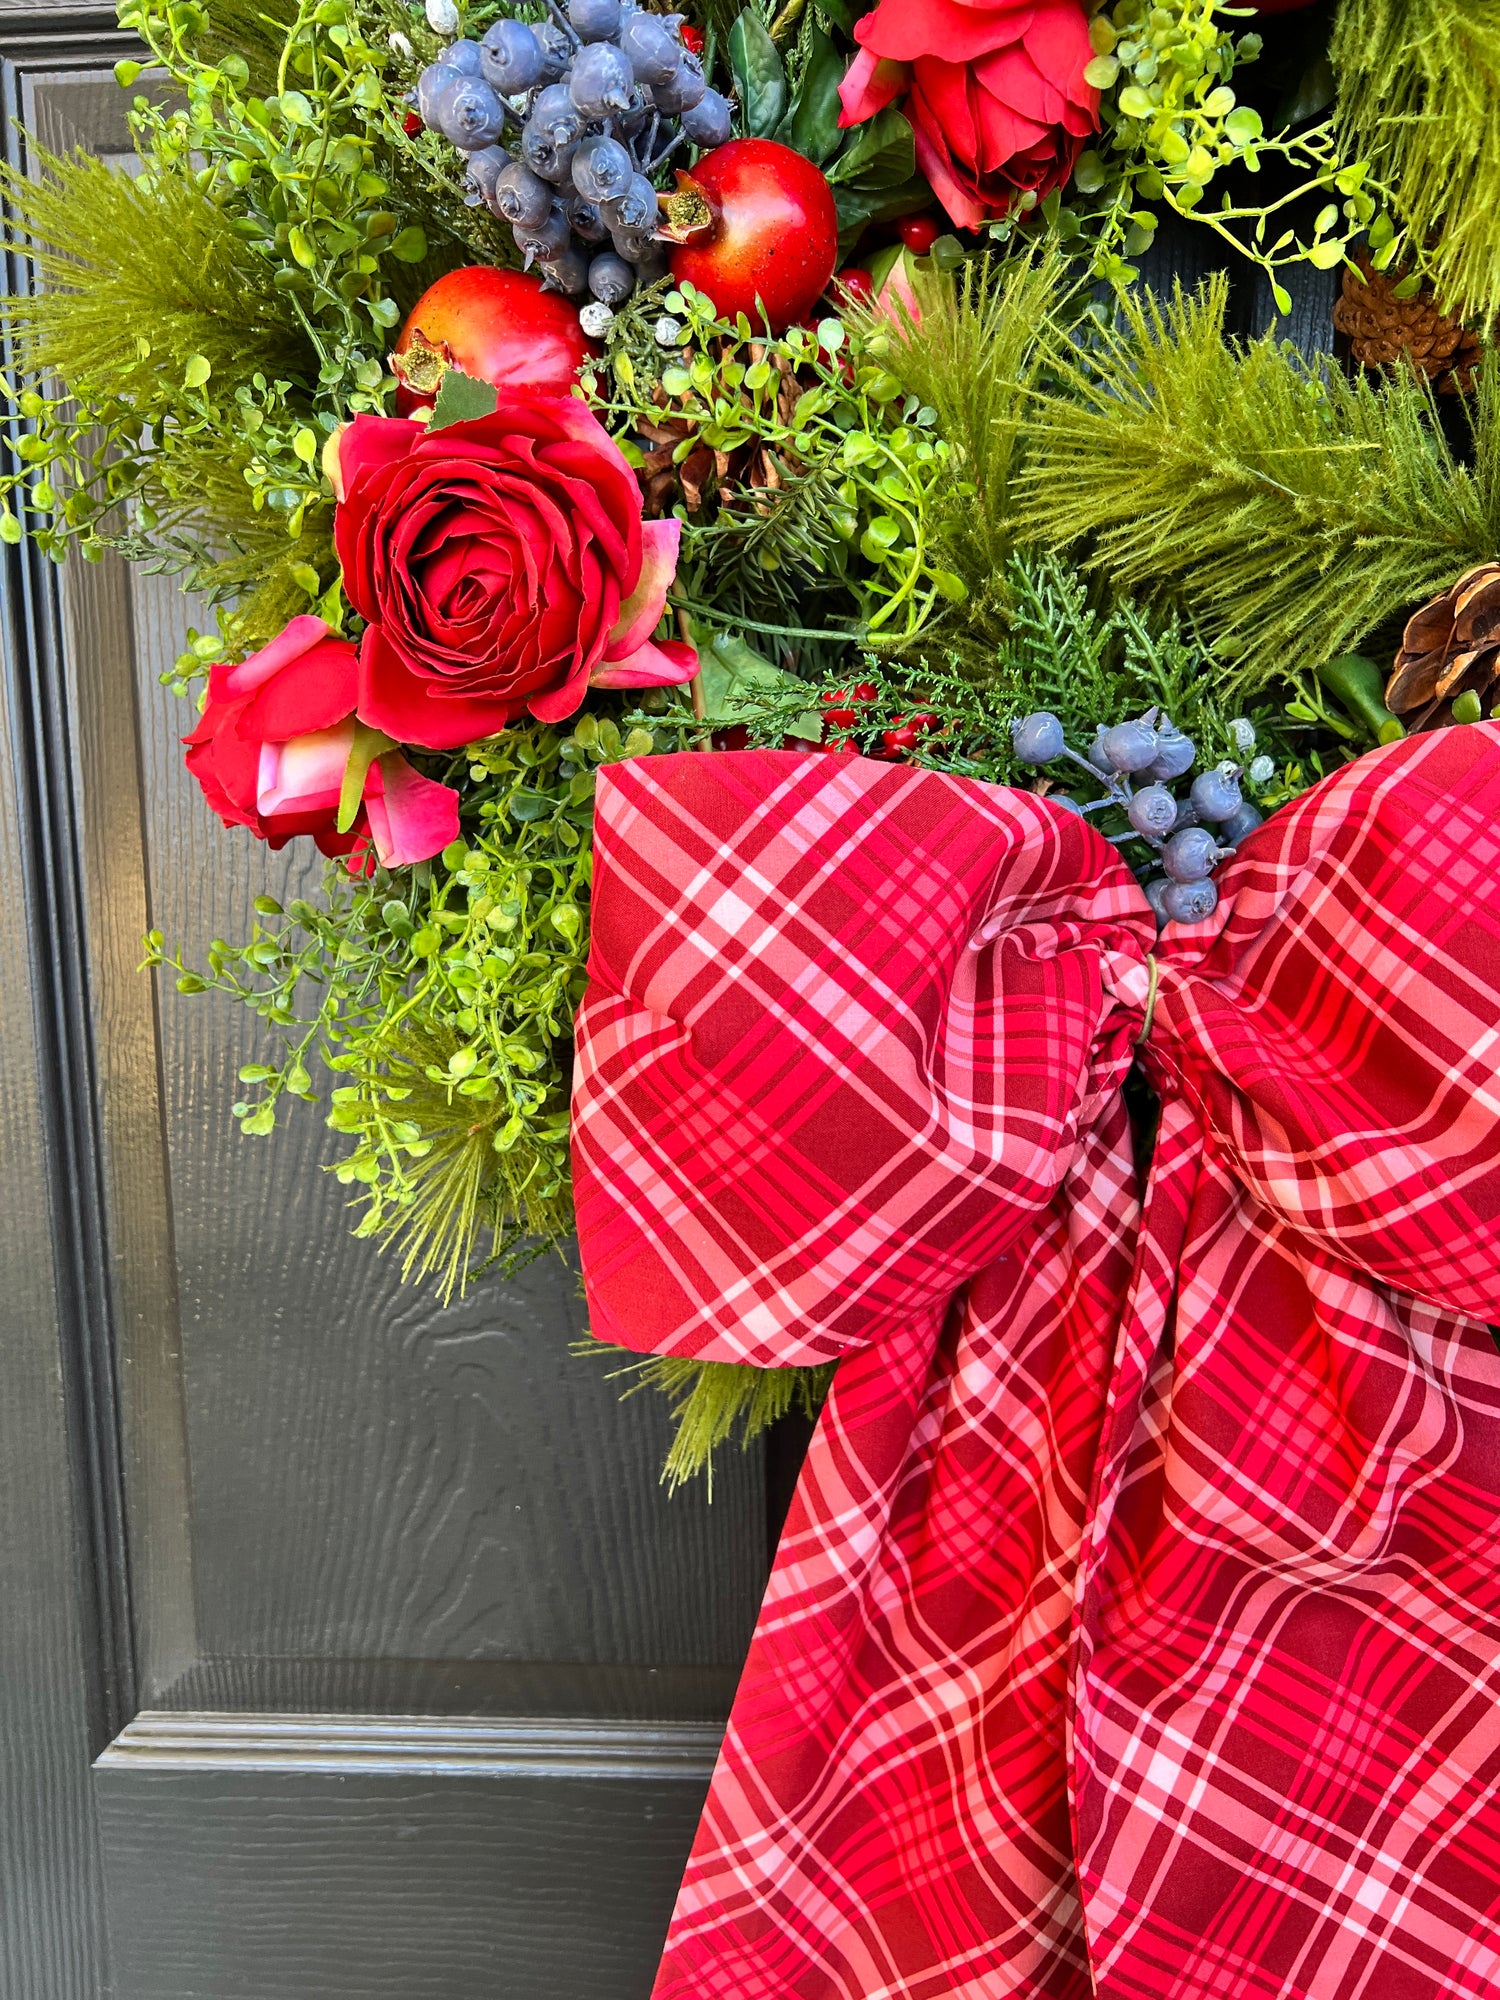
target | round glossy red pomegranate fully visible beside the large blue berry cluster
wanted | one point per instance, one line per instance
(757, 229)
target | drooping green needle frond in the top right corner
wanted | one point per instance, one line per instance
(1419, 93)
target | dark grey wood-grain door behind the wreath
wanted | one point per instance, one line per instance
(349, 1645)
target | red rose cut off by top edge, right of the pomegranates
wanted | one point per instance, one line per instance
(995, 95)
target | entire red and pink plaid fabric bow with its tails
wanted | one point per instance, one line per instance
(1137, 1623)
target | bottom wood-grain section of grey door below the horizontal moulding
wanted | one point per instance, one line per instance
(263, 1885)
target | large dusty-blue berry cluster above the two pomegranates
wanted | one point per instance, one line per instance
(565, 129)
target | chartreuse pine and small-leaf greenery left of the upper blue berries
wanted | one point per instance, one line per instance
(219, 313)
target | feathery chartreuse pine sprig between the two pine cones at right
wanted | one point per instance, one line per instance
(1293, 511)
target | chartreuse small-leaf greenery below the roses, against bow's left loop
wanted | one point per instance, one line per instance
(441, 999)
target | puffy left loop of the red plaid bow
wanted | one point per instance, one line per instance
(805, 1103)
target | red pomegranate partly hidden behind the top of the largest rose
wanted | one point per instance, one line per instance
(495, 325)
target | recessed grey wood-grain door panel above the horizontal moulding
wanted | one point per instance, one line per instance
(377, 1477)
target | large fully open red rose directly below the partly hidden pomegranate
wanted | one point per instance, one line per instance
(503, 567)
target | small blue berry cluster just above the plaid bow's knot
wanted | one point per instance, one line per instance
(1137, 763)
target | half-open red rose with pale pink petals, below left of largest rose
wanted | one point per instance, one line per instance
(275, 743)
